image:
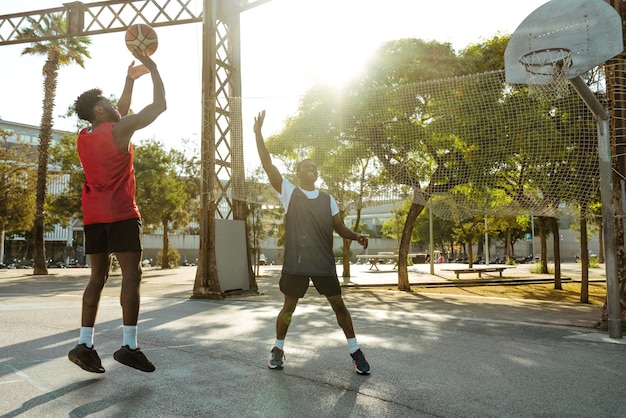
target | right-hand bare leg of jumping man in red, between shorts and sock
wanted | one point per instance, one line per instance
(130, 264)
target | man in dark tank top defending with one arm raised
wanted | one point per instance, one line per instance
(311, 216)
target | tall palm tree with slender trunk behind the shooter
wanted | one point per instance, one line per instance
(58, 52)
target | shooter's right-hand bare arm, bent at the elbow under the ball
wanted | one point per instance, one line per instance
(124, 129)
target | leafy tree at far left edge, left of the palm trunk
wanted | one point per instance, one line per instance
(17, 191)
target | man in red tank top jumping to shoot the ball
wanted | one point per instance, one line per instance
(111, 217)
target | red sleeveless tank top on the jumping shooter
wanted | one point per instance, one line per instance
(109, 188)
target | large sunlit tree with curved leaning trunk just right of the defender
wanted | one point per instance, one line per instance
(384, 115)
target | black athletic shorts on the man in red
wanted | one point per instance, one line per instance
(114, 237)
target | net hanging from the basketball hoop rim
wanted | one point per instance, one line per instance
(547, 63)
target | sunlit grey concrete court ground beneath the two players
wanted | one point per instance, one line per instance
(431, 355)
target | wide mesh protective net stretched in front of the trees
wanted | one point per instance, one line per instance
(461, 146)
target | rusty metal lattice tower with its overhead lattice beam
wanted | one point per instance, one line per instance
(222, 136)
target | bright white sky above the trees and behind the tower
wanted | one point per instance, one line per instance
(287, 47)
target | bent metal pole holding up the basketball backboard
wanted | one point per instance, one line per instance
(608, 211)
